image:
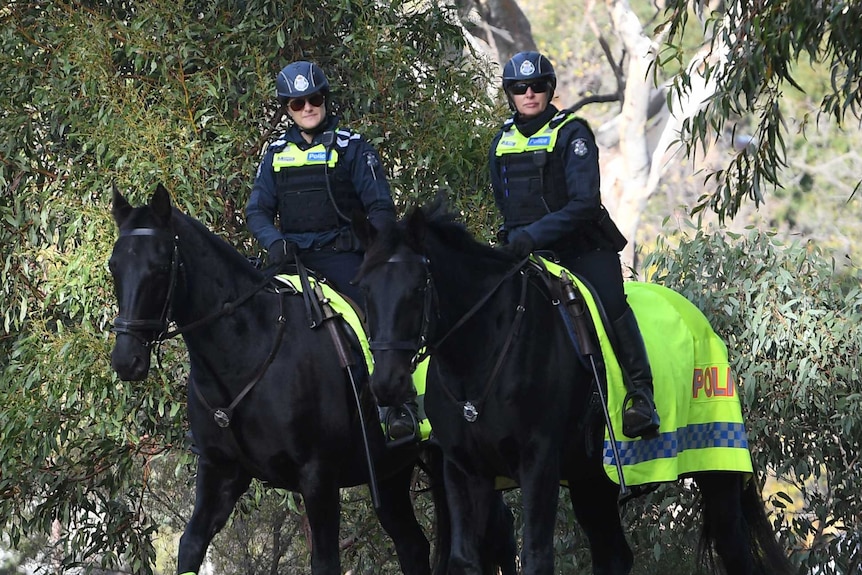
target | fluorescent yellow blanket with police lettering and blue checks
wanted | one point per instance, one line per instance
(695, 392)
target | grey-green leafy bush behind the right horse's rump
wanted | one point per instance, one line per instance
(792, 325)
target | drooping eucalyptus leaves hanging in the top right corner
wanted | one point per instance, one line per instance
(764, 42)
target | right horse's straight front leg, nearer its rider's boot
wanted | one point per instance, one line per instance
(540, 494)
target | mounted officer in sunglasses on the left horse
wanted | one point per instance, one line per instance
(313, 178)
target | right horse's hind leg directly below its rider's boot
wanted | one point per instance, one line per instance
(594, 501)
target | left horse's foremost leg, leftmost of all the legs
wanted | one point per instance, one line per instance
(217, 489)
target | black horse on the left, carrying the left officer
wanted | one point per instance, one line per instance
(267, 395)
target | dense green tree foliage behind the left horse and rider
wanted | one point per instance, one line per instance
(95, 93)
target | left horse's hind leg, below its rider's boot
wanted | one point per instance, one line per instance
(399, 521)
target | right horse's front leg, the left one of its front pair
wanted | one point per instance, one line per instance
(471, 500)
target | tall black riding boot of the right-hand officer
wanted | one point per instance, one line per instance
(640, 418)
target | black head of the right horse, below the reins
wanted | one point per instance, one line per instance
(396, 283)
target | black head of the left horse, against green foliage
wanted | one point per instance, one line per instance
(144, 268)
